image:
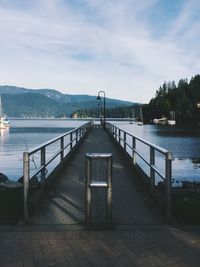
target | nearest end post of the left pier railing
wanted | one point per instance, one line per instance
(26, 174)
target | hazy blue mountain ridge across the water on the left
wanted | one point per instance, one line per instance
(24, 102)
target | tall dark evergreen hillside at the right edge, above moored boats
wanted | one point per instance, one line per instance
(181, 98)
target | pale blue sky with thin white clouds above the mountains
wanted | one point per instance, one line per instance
(127, 48)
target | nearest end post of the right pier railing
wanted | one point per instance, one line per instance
(168, 175)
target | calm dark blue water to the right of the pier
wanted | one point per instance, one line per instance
(184, 143)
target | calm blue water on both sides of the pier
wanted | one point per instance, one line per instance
(24, 134)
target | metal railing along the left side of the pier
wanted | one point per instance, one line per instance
(74, 136)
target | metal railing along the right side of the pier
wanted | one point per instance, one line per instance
(129, 141)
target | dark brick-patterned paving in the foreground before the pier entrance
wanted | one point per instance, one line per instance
(145, 246)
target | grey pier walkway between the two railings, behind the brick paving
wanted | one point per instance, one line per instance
(65, 203)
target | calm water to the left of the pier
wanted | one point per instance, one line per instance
(24, 135)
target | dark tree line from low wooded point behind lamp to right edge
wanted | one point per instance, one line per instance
(182, 99)
